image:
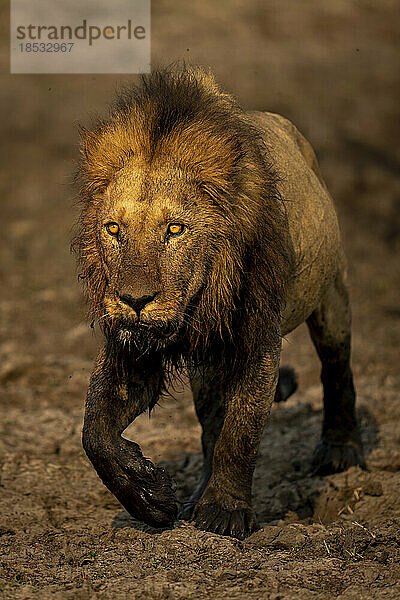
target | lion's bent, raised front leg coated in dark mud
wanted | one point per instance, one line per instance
(113, 402)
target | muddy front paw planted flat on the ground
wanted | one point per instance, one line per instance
(238, 522)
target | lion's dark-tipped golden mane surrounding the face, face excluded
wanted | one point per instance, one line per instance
(180, 113)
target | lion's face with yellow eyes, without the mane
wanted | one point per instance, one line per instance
(157, 237)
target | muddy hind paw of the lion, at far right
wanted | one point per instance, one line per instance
(332, 457)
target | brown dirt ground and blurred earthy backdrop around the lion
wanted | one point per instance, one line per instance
(333, 68)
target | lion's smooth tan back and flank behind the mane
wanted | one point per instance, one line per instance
(312, 218)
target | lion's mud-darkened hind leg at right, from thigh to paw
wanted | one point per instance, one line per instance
(340, 446)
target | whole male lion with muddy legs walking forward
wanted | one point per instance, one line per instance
(207, 234)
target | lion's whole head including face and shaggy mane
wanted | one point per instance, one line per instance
(178, 202)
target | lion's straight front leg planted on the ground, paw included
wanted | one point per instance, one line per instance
(225, 506)
